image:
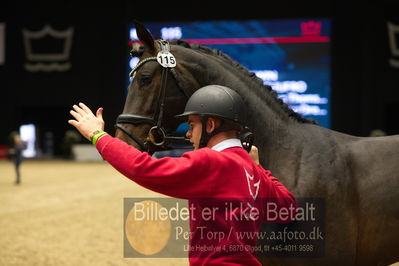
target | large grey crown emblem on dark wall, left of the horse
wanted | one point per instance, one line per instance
(47, 49)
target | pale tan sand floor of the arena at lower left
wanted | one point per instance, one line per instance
(66, 213)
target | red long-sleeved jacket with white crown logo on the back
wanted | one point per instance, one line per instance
(227, 181)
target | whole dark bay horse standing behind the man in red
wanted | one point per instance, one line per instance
(357, 176)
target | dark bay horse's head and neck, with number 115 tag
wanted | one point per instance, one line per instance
(160, 91)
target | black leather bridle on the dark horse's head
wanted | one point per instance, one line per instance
(157, 135)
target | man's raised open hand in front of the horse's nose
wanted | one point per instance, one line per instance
(85, 121)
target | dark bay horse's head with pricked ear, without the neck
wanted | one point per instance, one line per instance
(155, 95)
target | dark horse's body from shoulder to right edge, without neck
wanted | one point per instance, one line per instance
(359, 180)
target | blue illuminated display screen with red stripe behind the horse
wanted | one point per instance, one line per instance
(292, 56)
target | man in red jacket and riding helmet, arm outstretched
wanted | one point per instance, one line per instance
(218, 176)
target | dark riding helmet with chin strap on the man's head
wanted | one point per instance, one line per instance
(216, 101)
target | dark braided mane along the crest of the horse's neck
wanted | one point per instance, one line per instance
(137, 50)
